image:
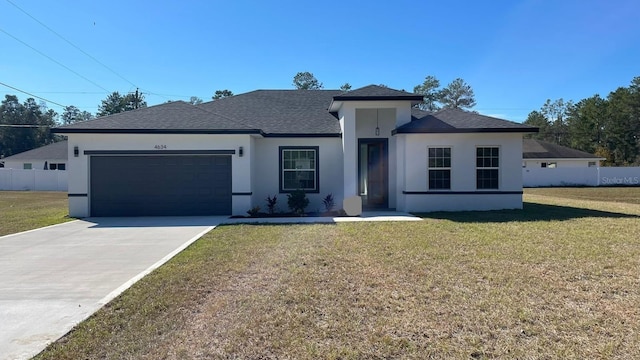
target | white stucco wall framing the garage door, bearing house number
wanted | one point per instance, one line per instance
(78, 167)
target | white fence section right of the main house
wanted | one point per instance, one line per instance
(603, 176)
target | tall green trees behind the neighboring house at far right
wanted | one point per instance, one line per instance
(607, 127)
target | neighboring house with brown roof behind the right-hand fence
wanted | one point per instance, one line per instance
(542, 154)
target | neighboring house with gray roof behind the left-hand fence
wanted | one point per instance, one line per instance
(53, 155)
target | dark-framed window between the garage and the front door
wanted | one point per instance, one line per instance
(299, 169)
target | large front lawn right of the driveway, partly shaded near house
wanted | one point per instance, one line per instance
(552, 281)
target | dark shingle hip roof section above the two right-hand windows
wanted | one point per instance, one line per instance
(458, 121)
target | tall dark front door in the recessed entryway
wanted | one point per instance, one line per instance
(373, 172)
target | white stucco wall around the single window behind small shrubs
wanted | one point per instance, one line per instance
(267, 171)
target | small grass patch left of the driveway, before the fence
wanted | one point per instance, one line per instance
(26, 210)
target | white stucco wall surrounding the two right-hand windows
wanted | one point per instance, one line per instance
(412, 153)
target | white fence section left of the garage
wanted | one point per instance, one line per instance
(38, 180)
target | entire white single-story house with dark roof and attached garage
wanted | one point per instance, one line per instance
(226, 156)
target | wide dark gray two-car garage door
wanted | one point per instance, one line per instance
(160, 185)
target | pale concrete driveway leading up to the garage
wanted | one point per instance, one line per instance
(53, 278)
